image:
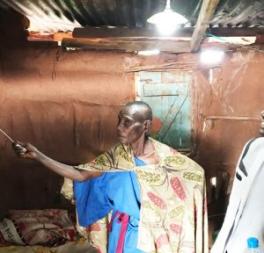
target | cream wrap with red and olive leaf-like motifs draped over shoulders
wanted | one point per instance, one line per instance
(173, 215)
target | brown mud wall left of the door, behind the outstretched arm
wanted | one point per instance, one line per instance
(66, 104)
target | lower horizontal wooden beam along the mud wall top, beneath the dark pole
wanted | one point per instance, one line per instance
(128, 45)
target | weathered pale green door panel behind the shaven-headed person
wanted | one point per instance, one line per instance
(168, 95)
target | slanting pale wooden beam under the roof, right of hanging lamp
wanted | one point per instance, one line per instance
(205, 15)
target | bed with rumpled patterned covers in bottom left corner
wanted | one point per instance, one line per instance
(41, 231)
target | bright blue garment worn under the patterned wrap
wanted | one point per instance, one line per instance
(112, 191)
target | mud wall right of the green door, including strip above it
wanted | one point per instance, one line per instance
(226, 104)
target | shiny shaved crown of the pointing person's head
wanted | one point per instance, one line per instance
(139, 109)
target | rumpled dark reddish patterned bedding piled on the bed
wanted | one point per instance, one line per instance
(48, 227)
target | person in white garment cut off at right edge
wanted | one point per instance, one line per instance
(245, 212)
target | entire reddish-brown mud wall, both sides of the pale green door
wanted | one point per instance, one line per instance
(66, 104)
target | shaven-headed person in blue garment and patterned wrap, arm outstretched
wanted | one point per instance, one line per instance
(156, 195)
